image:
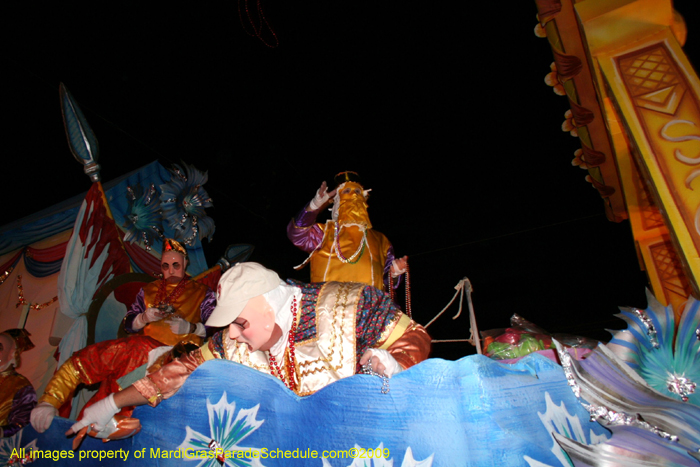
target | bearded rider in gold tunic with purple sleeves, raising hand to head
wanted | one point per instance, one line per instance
(346, 248)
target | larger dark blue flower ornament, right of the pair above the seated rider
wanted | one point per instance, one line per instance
(183, 202)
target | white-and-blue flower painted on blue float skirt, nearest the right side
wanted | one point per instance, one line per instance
(557, 419)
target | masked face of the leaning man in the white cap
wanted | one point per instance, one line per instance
(255, 325)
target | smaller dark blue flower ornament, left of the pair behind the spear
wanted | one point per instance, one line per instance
(143, 219)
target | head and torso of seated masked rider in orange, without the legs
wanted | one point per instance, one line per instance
(172, 309)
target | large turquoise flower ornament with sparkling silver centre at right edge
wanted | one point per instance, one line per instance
(668, 360)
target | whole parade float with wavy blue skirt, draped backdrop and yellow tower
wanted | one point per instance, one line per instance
(630, 402)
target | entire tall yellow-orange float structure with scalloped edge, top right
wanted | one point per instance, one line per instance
(634, 106)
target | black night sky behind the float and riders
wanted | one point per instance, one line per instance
(441, 108)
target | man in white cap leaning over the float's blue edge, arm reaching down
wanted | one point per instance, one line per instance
(307, 335)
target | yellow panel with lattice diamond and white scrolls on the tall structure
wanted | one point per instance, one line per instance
(655, 90)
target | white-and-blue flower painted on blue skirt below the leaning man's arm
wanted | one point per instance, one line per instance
(227, 429)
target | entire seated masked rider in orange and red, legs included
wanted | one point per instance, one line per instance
(169, 311)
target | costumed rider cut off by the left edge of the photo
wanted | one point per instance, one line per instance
(17, 396)
